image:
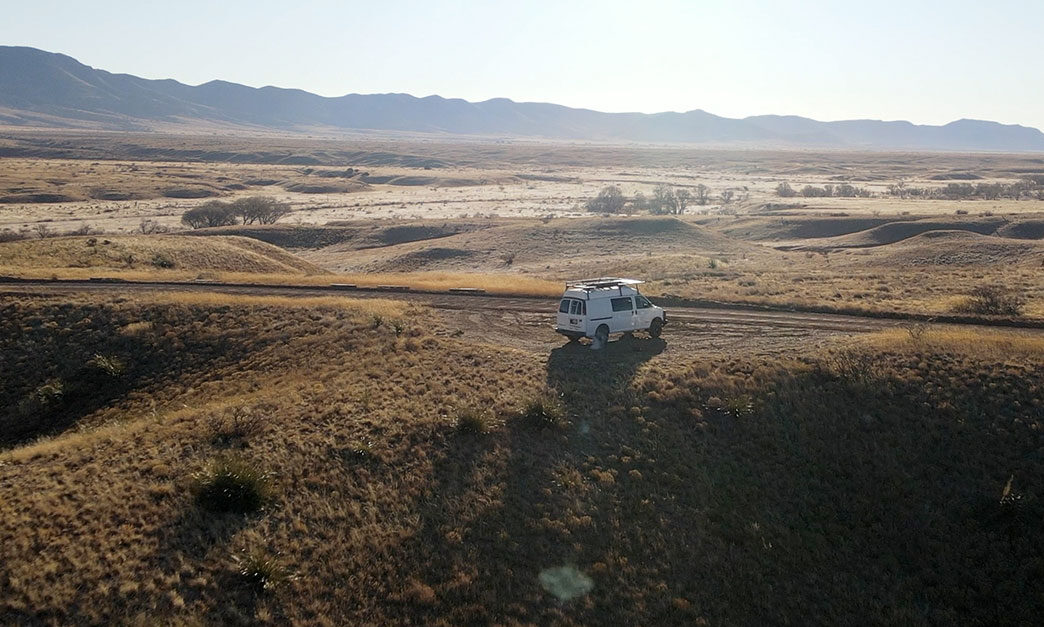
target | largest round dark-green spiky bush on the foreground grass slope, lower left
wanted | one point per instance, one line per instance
(231, 485)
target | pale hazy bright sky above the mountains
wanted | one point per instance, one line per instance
(924, 61)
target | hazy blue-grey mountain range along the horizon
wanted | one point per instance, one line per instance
(41, 89)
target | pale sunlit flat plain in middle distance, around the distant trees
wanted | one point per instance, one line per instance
(445, 194)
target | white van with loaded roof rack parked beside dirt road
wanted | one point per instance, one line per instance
(599, 307)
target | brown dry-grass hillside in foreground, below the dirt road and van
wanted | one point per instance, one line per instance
(408, 477)
